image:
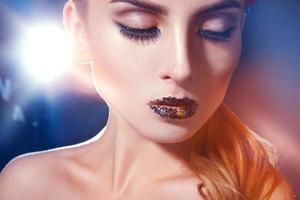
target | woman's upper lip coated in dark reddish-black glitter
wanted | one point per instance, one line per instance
(173, 101)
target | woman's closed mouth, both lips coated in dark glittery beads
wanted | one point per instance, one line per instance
(173, 108)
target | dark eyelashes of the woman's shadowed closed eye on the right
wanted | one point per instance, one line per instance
(217, 36)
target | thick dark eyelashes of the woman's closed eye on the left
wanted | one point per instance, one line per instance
(140, 35)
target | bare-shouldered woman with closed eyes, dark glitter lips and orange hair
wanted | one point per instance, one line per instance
(163, 68)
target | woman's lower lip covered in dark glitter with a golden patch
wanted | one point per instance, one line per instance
(174, 112)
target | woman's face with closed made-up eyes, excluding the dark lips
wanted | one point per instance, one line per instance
(182, 49)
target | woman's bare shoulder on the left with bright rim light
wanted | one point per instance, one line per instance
(34, 175)
